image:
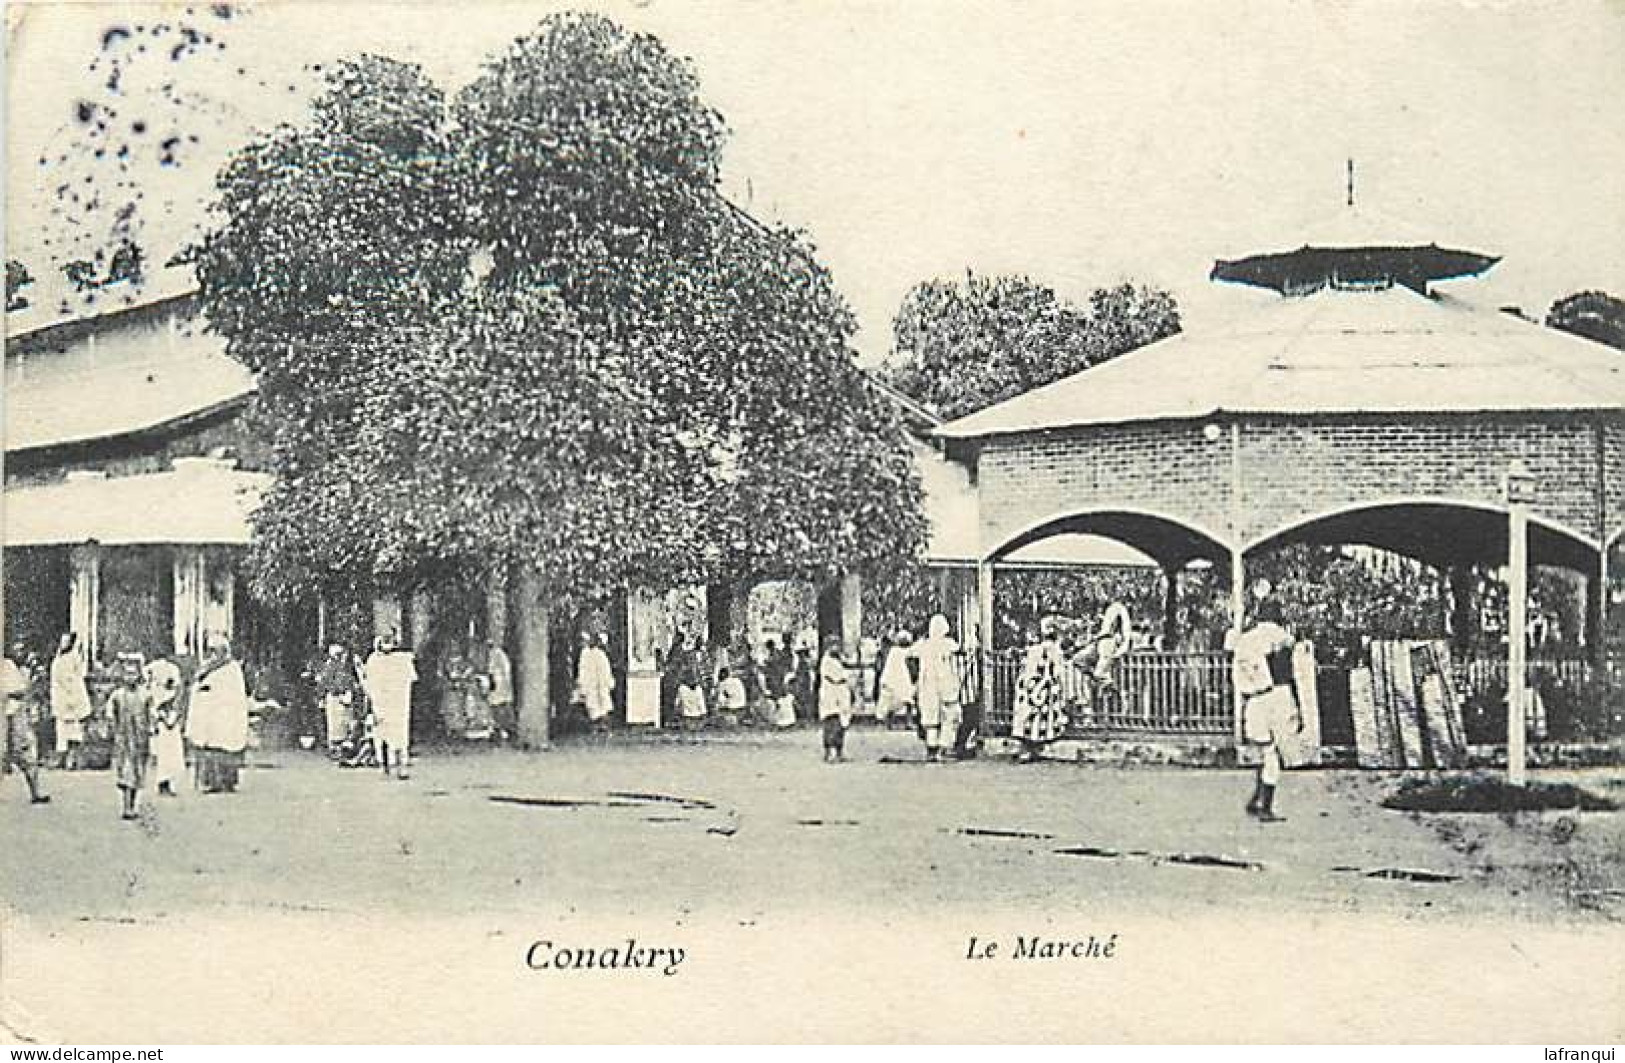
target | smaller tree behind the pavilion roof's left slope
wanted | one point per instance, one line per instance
(961, 347)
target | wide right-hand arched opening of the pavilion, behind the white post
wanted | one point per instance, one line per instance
(1411, 571)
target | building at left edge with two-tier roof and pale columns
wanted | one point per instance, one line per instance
(129, 479)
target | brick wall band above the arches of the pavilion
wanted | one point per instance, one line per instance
(1294, 469)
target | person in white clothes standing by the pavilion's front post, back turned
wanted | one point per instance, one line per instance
(1263, 675)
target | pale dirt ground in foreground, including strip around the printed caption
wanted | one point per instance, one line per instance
(812, 901)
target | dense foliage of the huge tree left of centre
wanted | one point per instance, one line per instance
(522, 326)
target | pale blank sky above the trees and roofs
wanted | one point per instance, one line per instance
(1081, 144)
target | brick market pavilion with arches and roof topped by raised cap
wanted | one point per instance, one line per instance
(1364, 406)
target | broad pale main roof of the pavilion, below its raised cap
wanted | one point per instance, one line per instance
(1330, 354)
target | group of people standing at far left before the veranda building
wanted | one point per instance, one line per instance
(155, 709)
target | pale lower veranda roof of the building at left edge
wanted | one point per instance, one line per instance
(197, 503)
